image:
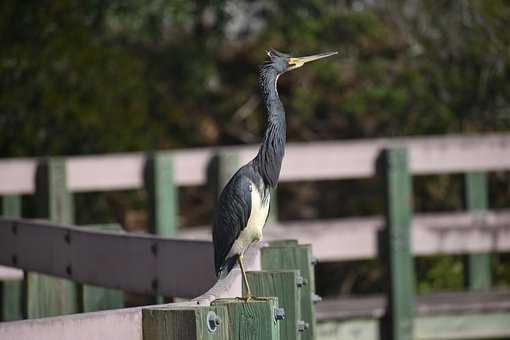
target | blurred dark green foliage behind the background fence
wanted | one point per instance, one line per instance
(93, 76)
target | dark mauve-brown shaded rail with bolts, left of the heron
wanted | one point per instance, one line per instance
(132, 262)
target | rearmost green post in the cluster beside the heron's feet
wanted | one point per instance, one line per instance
(287, 254)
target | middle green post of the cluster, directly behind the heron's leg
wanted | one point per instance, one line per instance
(286, 286)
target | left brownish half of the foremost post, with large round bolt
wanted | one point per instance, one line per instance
(175, 322)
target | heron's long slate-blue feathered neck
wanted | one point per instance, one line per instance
(270, 155)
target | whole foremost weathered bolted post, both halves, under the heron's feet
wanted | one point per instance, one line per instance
(225, 319)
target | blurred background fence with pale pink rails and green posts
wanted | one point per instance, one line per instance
(477, 231)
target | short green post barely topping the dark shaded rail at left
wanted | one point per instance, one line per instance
(98, 298)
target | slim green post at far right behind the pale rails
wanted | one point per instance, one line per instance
(477, 266)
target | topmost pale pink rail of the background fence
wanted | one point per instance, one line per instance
(338, 160)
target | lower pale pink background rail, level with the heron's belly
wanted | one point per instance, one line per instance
(355, 238)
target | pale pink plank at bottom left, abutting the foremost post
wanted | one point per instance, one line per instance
(122, 324)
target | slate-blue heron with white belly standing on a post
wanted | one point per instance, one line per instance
(243, 205)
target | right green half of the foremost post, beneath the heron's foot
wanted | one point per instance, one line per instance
(252, 320)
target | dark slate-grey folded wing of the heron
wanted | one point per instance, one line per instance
(232, 214)
